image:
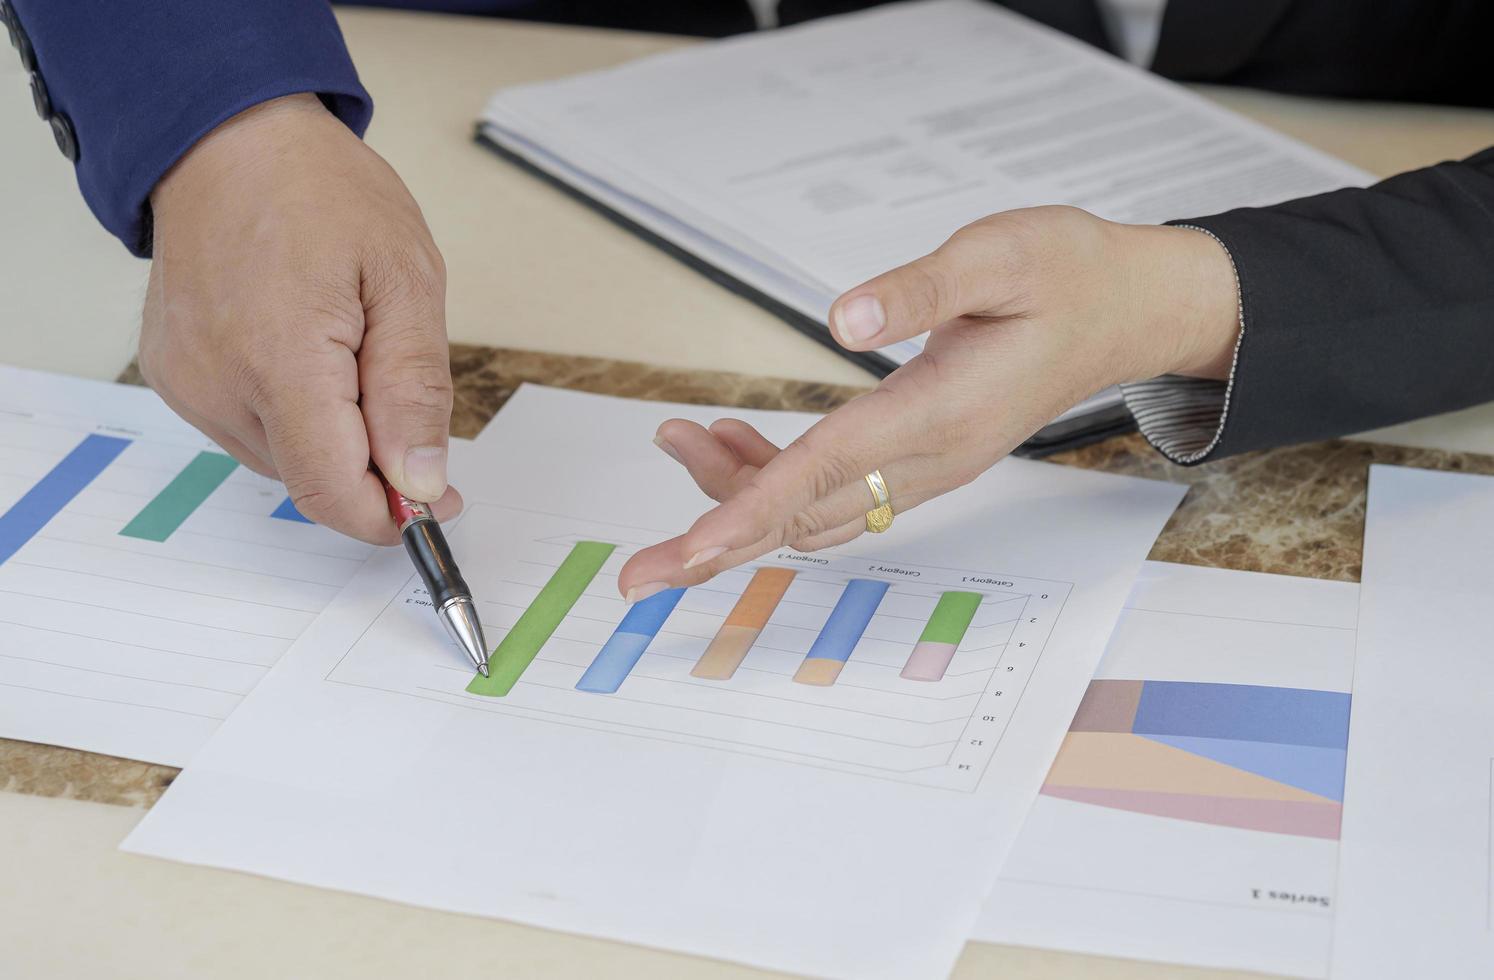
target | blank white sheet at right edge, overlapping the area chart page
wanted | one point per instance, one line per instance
(1416, 869)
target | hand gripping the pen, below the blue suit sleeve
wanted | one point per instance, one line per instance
(297, 314)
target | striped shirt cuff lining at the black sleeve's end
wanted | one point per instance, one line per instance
(1184, 418)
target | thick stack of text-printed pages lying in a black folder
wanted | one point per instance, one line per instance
(796, 165)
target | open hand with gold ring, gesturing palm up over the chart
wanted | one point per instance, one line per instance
(1029, 313)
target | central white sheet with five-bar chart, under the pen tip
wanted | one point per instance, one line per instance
(739, 769)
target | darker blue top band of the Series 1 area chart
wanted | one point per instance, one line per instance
(1244, 712)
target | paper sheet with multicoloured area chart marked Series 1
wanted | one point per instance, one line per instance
(1193, 813)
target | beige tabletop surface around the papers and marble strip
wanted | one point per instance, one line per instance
(528, 270)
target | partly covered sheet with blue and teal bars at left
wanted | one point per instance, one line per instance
(147, 580)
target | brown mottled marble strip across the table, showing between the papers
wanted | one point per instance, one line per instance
(1296, 512)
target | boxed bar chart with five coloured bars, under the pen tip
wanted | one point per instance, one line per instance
(812, 660)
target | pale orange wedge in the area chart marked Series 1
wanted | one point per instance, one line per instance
(1135, 763)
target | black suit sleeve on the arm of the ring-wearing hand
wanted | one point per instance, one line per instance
(1360, 308)
